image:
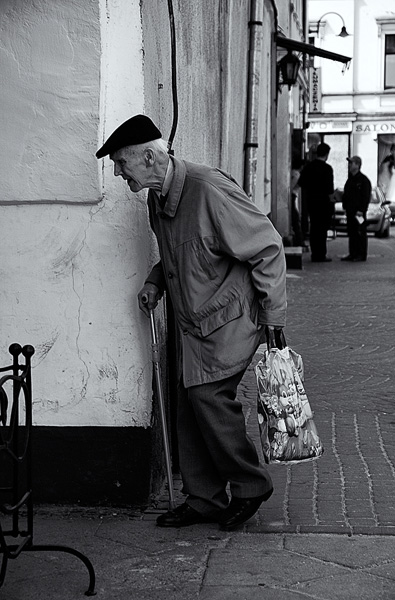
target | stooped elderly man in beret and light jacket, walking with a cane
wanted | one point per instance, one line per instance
(222, 262)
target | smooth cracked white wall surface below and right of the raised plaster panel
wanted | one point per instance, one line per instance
(70, 273)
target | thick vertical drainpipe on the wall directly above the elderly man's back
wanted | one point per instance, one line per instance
(254, 73)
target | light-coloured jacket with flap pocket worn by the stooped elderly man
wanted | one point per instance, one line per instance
(223, 264)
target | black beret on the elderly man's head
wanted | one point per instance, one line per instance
(137, 130)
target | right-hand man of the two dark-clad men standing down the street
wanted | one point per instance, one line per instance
(356, 200)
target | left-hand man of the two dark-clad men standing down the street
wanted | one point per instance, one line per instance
(316, 181)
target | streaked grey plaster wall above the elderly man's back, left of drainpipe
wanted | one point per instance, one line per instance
(212, 57)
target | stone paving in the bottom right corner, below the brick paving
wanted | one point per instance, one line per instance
(320, 567)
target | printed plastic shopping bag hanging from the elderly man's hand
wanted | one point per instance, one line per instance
(287, 429)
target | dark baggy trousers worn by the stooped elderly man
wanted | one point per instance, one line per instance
(214, 447)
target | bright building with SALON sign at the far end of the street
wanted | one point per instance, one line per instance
(354, 111)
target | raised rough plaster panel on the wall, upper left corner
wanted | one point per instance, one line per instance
(49, 100)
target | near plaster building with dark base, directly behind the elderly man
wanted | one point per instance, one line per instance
(76, 244)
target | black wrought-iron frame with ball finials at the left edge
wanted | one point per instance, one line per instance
(16, 499)
